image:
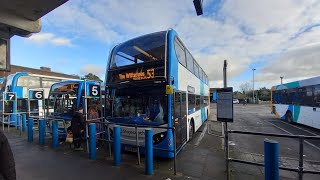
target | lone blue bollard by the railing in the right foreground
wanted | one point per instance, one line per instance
(271, 160)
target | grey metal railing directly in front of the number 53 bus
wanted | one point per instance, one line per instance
(136, 127)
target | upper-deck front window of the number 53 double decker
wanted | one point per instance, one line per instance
(143, 49)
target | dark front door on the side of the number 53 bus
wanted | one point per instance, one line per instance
(180, 118)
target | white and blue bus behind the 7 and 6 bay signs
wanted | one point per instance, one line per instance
(21, 86)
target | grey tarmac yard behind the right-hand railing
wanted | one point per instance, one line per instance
(259, 119)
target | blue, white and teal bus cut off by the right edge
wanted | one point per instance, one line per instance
(298, 102)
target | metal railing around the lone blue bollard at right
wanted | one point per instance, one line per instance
(300, 169)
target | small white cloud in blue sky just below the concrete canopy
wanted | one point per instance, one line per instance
(50, 38)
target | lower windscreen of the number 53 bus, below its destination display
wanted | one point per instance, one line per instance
(148, 103)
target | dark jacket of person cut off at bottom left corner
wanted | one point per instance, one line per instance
(7, 164)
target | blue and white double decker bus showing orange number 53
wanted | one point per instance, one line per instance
(153, 80)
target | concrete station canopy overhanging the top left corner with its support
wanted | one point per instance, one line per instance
(21, 18)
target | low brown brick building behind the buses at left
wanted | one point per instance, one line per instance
(42, 71)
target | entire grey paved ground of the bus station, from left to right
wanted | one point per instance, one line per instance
(202, 158)
